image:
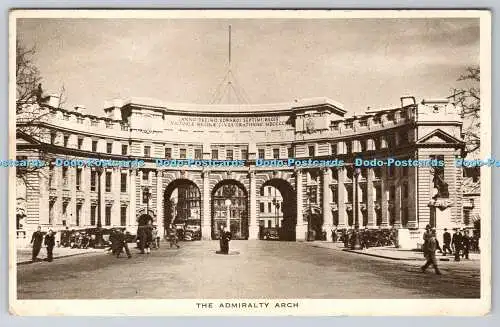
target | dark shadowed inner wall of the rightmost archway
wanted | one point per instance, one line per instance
(286, 230)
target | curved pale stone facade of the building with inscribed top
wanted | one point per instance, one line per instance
(317, 129)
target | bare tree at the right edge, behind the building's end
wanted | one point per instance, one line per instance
(469, 98)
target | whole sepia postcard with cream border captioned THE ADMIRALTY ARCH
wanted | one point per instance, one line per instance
(279, 162)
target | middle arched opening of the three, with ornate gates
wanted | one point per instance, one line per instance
(230, 206)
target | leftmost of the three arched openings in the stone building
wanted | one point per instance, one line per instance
(182, 208)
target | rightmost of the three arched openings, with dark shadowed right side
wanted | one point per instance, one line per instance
(277, 210)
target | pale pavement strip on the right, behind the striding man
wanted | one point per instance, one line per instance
(391, 252)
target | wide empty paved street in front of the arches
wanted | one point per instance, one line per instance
(260, 270)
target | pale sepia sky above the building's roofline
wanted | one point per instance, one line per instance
(358, 62)
